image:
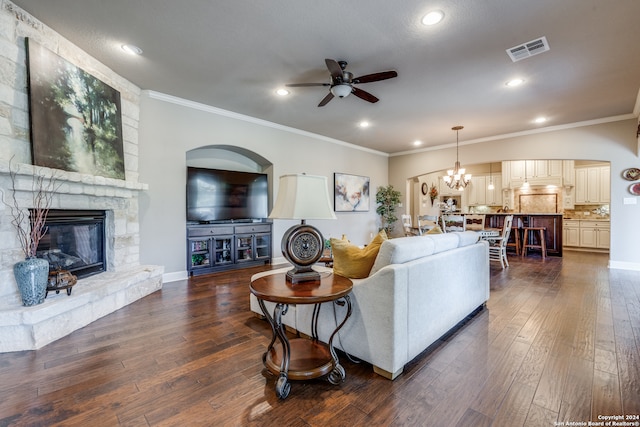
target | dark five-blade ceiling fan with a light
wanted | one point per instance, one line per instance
(342, 82)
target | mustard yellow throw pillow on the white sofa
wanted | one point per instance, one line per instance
(352, 261)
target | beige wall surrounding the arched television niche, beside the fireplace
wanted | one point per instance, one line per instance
(171, 127)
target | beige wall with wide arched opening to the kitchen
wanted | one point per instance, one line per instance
(614, 142)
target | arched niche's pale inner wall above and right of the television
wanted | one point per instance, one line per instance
(229, 157)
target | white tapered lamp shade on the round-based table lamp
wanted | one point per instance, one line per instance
(302, 197)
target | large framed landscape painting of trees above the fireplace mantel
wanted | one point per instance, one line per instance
(76, 122)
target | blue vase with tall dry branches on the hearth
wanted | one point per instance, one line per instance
(32, 274)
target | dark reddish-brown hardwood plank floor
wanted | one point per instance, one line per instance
(558, 342)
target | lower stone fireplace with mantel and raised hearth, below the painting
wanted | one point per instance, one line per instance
(121, 281)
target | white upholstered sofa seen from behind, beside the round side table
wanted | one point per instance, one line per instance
(419, 289)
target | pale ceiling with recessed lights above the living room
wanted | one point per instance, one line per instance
(234, 55)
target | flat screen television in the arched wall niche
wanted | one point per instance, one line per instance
(220, 195)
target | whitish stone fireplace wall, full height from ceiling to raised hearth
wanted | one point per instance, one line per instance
(26, 328)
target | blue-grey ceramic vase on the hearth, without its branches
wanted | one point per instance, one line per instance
(31, 276)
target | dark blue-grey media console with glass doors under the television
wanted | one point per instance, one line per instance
(226, 246)
